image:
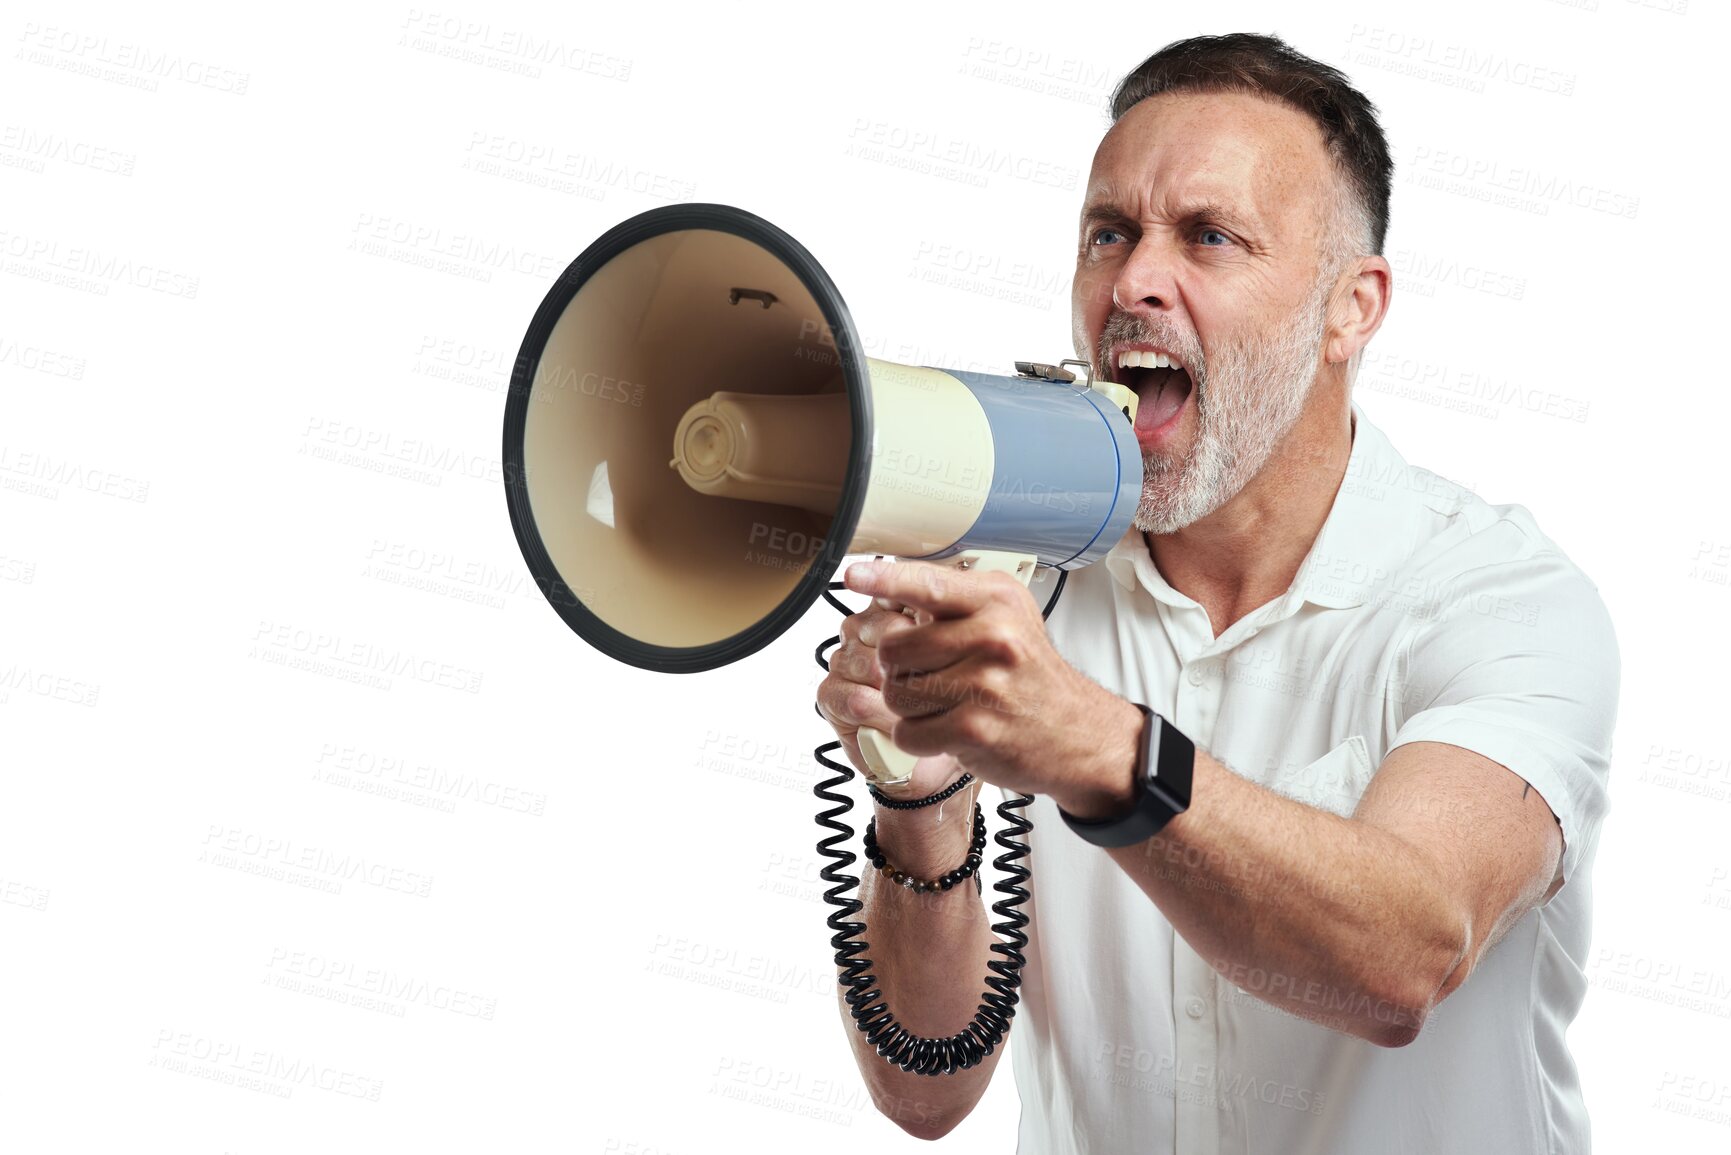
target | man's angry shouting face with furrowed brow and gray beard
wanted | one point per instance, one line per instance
(1202, 240)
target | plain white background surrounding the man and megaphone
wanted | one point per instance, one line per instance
(264, 274)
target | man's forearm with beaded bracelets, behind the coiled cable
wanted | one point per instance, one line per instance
(930, 957)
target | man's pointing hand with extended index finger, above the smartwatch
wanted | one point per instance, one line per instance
(975, 676)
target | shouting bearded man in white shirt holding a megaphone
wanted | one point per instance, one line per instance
(1367, 931)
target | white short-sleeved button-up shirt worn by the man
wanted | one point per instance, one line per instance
(1422, 614)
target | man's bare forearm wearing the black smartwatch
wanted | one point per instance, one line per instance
(1329, 919)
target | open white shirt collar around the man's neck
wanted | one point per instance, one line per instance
(1370, 531)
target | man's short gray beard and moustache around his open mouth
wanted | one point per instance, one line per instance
(1247, 401)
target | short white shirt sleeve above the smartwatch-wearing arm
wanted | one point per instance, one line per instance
(1521, 666)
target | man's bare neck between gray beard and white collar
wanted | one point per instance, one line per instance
(1247, 553)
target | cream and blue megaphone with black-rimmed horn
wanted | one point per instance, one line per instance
(695, 439)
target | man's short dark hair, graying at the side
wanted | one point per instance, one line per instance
(1271, 68)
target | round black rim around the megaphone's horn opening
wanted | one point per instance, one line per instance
(835, 546)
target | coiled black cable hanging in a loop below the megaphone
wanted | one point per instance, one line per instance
(991, 1023)
